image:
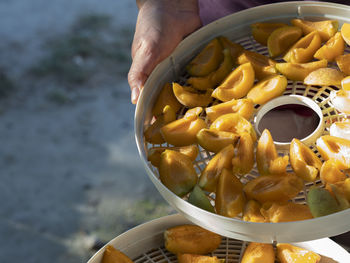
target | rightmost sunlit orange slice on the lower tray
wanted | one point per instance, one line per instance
(287, 253)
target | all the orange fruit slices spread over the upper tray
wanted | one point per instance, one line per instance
(213, 109)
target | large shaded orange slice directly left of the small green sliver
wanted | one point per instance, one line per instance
(177, 173)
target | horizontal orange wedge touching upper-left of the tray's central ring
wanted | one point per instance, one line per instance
(245, 107)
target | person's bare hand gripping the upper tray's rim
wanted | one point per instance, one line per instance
(161, 25)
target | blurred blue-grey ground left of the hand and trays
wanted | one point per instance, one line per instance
(71, 177)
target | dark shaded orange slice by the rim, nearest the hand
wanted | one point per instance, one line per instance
(207, 60)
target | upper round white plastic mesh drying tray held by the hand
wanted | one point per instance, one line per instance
(236, 27)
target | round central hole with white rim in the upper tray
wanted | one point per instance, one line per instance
(289, 117)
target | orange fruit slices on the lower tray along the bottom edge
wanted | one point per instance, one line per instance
(193, 244)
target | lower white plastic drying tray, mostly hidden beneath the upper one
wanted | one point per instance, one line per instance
(145, 243)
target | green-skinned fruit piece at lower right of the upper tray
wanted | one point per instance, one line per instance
(321, 202)
